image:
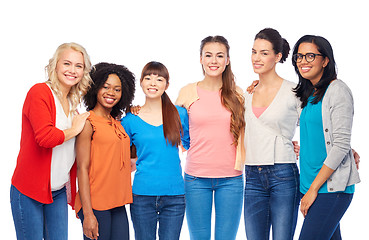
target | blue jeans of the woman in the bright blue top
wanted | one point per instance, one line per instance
(148, 211)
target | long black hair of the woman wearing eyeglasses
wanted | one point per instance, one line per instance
(305, 88)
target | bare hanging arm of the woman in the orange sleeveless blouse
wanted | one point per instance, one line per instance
(83, 150)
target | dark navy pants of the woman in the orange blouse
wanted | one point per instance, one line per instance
(113, 223)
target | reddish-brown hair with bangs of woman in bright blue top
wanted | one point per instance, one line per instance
(172, 126)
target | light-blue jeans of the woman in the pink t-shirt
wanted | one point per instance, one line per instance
(228, 198)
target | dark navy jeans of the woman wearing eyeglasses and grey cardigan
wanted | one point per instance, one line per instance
(323, 217)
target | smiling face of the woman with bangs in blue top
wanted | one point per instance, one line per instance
(154, 86)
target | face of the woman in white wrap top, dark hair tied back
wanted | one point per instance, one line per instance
(263, 57)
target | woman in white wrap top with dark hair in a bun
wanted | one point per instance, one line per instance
(272, 112)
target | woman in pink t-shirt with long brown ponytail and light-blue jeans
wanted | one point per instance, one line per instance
(215, 159)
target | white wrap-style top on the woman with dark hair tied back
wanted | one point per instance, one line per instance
(268, 139)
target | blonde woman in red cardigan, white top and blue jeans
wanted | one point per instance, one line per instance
(45, 170)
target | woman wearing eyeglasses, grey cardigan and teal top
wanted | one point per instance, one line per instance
(327, 166)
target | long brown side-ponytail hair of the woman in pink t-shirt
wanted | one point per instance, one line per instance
(231, 99)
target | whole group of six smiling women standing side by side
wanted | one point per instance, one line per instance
(223, 129)
